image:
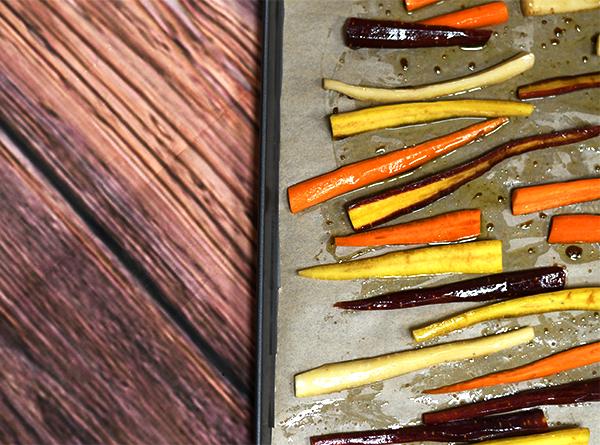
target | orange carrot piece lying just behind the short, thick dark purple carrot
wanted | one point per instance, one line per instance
(477, 17)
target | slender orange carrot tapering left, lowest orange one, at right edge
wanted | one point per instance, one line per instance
(553, 364)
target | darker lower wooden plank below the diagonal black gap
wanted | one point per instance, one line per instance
(87, 357)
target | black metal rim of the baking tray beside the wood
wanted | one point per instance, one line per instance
(267, 223)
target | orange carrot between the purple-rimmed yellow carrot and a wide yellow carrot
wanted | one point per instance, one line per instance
(454, 226)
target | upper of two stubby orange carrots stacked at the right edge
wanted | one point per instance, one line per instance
(548, 196)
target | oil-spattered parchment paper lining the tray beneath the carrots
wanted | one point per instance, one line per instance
(310, 331)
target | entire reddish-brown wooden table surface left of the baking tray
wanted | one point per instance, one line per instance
(128, 135)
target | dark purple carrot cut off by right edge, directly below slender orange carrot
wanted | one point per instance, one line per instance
(574, 392)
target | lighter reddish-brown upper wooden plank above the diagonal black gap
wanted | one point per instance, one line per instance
(143, 113)
